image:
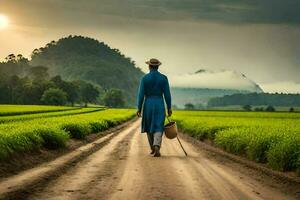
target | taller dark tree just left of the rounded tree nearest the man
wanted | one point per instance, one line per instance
(88, 92)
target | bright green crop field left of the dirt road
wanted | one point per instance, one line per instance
(54, 127)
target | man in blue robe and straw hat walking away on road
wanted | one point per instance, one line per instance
(154, 89)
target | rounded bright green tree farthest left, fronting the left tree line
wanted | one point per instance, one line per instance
(54, 96)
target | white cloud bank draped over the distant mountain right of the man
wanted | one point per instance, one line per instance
(224, 79)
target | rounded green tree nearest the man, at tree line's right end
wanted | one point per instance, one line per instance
(114, 98)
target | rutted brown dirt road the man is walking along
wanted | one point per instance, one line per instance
(123, 169)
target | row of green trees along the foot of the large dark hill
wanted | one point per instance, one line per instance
(21, 83)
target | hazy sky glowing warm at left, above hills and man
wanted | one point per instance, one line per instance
(259, 38)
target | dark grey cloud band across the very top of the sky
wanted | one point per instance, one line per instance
(228, 11)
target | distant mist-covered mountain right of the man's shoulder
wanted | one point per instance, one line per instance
(198, 88)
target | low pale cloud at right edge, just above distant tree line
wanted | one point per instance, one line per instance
(284, 87)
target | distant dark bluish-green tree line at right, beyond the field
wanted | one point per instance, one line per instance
(276, 99)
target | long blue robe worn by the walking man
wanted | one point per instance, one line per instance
(154, 88)
